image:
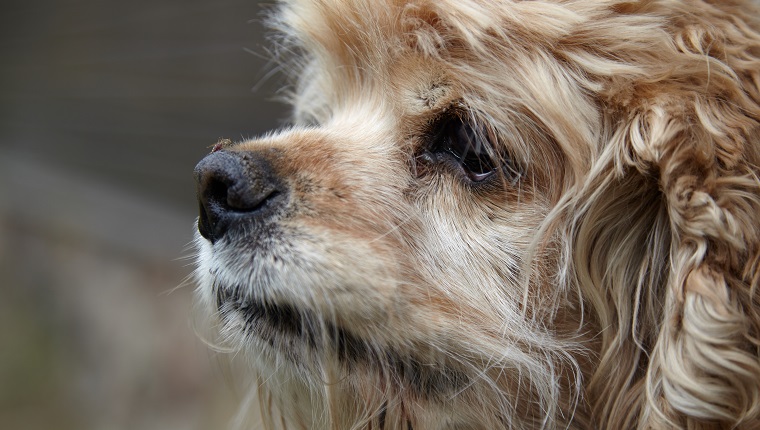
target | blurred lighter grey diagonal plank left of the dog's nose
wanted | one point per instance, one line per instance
(73, 207)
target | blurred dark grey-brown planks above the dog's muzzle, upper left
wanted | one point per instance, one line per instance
(132, 93)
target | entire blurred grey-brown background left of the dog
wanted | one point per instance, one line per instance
(105, 108)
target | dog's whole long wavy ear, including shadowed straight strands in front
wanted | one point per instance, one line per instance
(666, 233)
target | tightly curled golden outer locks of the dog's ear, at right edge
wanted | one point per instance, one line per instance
(704, 149)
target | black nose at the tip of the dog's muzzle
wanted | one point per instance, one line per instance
(235, 187)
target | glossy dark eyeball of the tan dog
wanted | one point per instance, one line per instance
(466, 145)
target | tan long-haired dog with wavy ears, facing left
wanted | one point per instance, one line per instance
(497, 214)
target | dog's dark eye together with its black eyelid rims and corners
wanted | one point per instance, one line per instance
(459, 140)
